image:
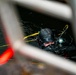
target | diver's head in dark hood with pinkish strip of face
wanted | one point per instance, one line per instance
(46, 37)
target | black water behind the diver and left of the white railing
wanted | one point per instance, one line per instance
(32, 21)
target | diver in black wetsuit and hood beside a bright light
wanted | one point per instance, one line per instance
(61, 46)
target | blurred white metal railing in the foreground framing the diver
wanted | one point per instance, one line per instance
(13, 31)
